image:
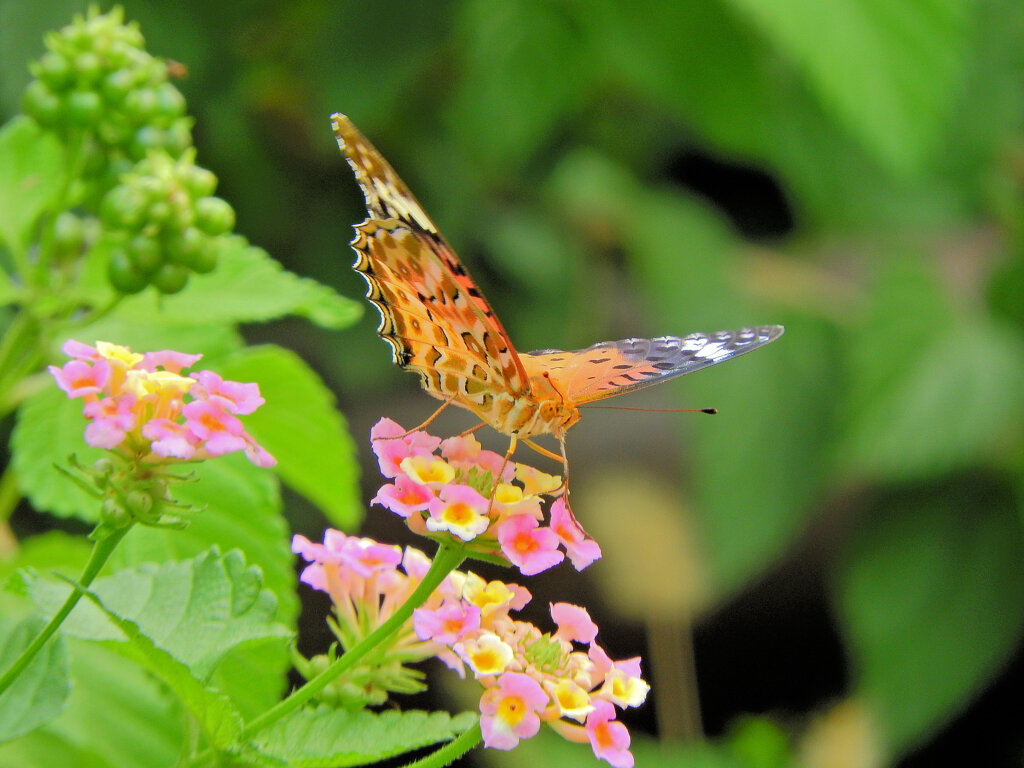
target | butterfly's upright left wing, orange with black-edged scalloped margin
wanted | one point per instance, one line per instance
(433, 315)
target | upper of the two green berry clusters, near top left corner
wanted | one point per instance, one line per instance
(97, 84)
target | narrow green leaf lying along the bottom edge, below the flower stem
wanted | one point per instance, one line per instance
(322, 738)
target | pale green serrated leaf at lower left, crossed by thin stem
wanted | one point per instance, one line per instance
(196, 611)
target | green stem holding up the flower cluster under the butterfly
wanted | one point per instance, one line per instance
(447, 560)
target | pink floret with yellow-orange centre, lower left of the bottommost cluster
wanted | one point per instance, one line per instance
(509, 712)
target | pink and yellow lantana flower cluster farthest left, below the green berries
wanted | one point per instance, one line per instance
(144, 407)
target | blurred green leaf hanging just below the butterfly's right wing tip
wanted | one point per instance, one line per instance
(770, 433)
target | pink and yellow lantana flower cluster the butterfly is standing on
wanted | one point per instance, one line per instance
(454, 488)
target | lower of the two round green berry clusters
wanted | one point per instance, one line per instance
(163, 224)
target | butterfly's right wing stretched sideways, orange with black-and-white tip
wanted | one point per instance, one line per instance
(616, 367)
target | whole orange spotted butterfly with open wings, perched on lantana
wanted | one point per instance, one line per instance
(440, 325)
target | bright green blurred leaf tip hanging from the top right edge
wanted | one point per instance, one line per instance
(888, 69)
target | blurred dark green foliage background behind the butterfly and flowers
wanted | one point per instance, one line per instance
(833, 567)
